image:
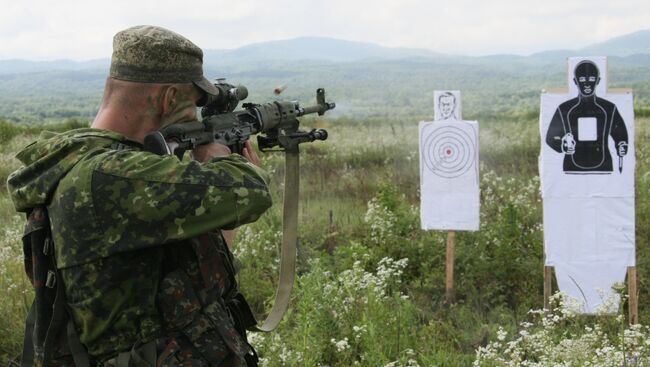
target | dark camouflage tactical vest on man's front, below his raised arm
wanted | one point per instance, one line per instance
(200, 300)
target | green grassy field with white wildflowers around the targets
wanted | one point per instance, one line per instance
(370, 287)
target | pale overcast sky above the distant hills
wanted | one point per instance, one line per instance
(83, 29)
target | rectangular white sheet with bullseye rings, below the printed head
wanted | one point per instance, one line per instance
(449, 178)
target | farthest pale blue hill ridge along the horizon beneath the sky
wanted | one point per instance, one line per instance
(266, 57)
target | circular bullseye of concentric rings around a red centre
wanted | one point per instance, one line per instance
(448, 151)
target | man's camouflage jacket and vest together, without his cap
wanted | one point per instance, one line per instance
(137, 243)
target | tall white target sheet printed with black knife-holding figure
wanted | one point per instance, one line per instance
(587, 170)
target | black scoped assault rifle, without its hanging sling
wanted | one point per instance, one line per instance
(276, 123)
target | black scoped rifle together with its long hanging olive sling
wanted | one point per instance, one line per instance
(277, 126)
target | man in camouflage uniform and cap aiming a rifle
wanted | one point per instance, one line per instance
(147, 275)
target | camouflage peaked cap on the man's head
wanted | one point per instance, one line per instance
(150, 54)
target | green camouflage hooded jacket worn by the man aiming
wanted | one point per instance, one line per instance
(116, 211)
